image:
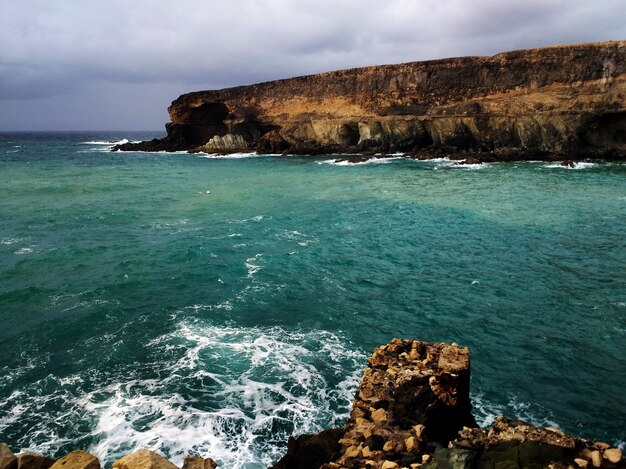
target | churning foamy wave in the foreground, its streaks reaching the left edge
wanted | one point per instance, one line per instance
(232, 393)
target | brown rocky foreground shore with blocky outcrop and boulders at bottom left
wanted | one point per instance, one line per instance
(412, 410)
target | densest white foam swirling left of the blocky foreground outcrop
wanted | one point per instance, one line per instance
(276, 384)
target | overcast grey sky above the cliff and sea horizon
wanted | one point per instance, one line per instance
(118, 64)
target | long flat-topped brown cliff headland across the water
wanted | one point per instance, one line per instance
(561, 101)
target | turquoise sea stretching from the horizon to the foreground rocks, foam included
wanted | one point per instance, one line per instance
(216, 305)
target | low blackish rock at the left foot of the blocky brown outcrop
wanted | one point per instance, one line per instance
(311, 451)
